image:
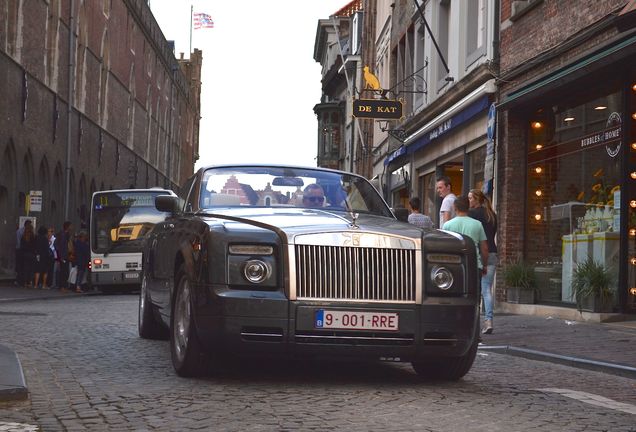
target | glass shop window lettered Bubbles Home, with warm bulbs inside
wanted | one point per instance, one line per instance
(575, 166)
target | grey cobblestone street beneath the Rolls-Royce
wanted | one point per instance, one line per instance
(87, 369)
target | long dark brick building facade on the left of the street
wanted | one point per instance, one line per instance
(134, 115)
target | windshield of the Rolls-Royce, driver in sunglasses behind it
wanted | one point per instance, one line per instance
(225, 187)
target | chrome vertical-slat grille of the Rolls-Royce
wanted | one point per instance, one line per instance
(369, 274)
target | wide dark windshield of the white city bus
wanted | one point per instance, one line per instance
(120, 220)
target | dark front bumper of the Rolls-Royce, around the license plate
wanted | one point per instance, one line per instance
(256, 323)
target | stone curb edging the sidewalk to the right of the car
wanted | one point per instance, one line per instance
(577, 362)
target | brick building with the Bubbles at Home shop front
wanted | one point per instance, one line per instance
(567, 93)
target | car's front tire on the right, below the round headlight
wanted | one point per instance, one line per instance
(448, 368)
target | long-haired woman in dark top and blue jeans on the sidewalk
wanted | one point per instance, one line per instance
(481, 209)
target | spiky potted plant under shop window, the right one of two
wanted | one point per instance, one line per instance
(592, 286)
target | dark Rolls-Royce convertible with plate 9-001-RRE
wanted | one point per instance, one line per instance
(293, 261)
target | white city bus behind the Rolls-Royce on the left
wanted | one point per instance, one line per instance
(120, 220)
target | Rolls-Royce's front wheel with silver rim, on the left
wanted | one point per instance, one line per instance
(188, 358)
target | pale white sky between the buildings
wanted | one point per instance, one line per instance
(259, 78)
